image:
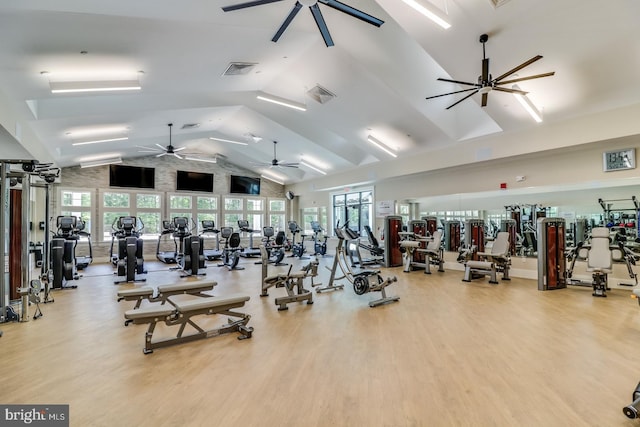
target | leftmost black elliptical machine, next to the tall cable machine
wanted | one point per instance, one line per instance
(63, 260)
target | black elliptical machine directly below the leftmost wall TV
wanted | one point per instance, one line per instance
(130, 262)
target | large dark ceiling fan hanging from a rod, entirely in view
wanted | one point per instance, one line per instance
(486, 83)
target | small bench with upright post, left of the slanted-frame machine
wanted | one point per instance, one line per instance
(292, 282)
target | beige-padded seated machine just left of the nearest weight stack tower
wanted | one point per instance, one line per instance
(489, 263)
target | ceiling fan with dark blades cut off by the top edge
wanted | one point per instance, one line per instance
(315, 11)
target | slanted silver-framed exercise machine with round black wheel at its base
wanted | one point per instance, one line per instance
(363, 280)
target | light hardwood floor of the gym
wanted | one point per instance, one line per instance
(448, 353)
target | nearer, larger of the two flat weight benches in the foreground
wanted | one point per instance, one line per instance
(182, 309)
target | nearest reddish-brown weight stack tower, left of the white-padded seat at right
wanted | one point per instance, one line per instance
(552, 264)
